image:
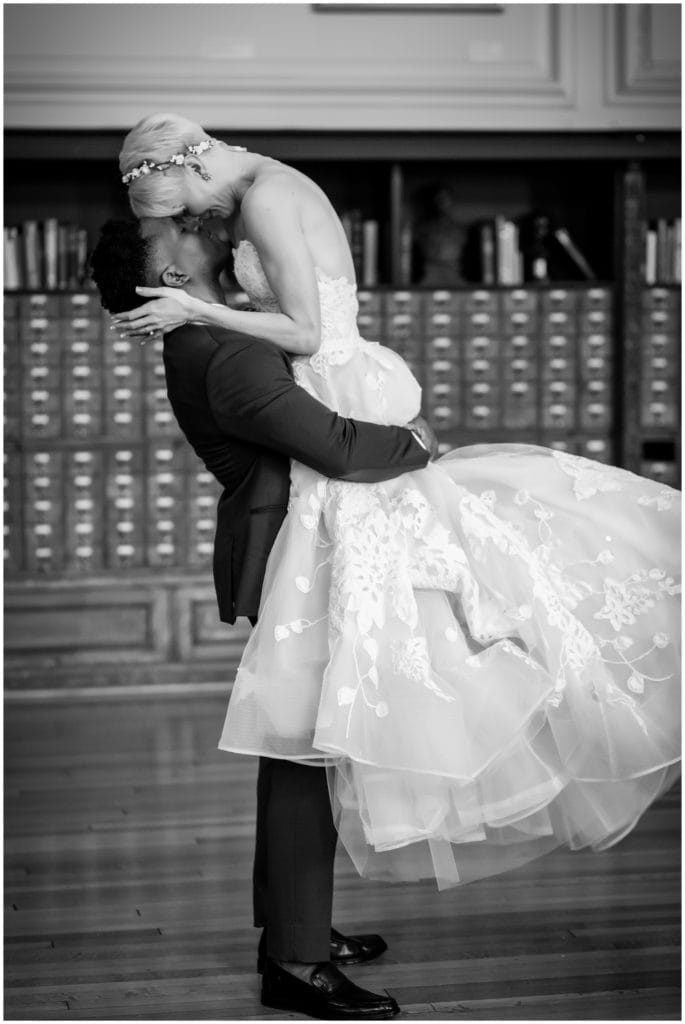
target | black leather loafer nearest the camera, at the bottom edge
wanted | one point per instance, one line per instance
(329, 996)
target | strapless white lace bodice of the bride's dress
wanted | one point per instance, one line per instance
(337, 296)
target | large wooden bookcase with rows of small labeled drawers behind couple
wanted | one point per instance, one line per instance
(137, 604)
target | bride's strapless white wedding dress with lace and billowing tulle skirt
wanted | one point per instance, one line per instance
(485, 653)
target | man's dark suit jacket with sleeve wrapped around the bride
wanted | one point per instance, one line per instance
(236, 401)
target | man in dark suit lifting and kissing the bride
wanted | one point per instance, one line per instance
(237, 403)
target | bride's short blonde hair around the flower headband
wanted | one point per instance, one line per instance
(157, 138)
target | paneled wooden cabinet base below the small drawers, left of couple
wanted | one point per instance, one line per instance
(145, 631)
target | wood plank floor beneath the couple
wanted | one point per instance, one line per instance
(127, 888)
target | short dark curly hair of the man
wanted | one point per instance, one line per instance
(119, 264)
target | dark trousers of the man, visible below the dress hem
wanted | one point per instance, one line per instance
(294, 859)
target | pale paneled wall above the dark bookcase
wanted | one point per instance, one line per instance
(289, 67)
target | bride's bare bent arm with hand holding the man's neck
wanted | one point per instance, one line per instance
(272, 222)
